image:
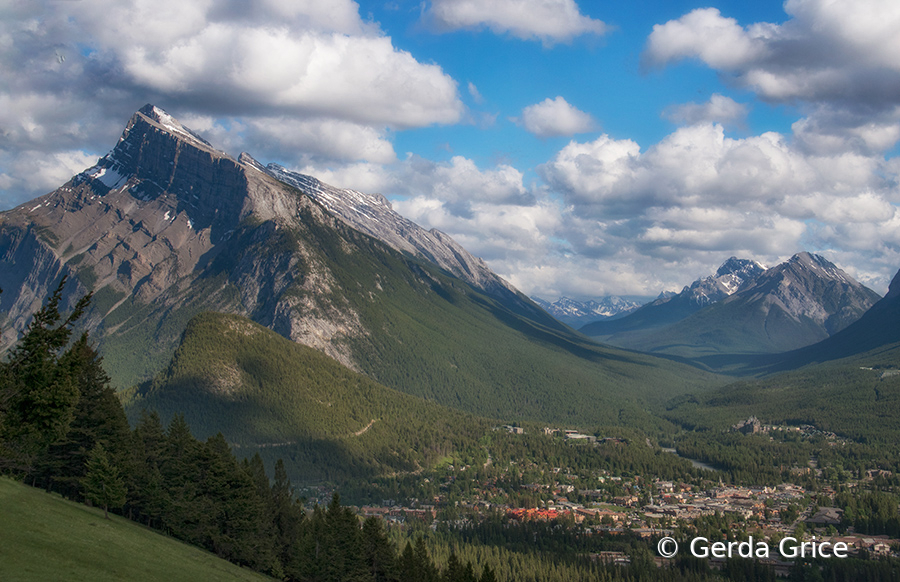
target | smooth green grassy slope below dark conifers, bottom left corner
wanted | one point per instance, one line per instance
(44, 537)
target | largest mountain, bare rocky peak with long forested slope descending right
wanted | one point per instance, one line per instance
(165, 227)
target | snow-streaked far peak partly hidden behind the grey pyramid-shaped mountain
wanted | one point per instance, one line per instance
(734, 275)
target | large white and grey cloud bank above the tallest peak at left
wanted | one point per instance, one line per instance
(335, 84)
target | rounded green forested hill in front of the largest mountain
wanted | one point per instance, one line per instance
(266, 393)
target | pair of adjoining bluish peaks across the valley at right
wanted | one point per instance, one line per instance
(745, 309)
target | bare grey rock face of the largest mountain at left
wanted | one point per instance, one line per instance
(154, 222)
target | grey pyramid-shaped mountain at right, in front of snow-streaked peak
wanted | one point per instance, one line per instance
(797, 303)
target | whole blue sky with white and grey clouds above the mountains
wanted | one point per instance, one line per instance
(581, 148)
